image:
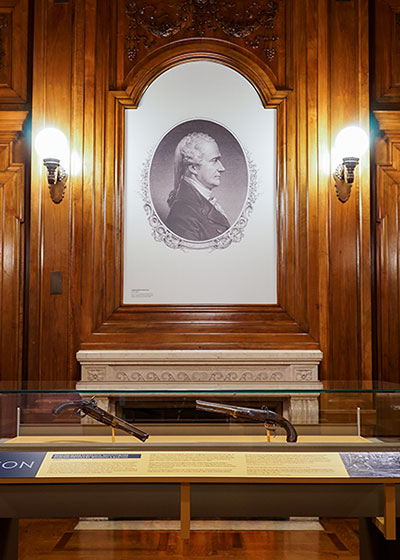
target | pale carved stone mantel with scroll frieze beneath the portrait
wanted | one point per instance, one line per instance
(239, 368)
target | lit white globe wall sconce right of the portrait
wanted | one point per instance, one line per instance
(350, 144)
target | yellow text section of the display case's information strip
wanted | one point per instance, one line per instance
(194, 464)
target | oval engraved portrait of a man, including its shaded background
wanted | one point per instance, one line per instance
(198, 181)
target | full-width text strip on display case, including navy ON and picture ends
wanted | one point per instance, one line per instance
(198, 464)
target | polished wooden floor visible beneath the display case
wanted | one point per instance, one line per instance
(56, 539)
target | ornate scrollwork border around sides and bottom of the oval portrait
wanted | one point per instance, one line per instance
(234, 234)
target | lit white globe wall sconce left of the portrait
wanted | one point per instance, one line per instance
(52, 147)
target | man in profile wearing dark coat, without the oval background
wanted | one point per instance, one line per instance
(194, 213)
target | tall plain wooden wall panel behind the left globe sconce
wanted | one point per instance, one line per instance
(50, 232)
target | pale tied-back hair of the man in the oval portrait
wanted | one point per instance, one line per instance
(188, 152)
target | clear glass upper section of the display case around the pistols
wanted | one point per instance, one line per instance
(362, 419)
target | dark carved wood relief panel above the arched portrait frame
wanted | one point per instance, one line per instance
(255, 25)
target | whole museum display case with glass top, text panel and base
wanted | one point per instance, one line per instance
(176, 459)
